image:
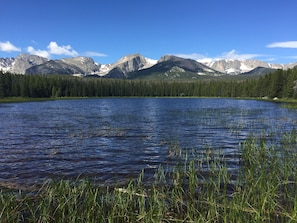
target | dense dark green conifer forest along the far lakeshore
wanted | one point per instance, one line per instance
(281, 84)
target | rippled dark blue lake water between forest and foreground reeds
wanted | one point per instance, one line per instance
(112, 139)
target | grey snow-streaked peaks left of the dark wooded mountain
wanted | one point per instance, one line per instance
(31, 64)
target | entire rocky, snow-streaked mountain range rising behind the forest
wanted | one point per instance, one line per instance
(137, 66)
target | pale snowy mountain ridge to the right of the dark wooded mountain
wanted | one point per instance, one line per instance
(234, 67)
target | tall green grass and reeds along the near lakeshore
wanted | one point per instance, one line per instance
(200, 188)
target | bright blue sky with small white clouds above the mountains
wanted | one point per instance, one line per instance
(106, 30)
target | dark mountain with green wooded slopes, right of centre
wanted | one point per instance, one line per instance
(172, 67)
